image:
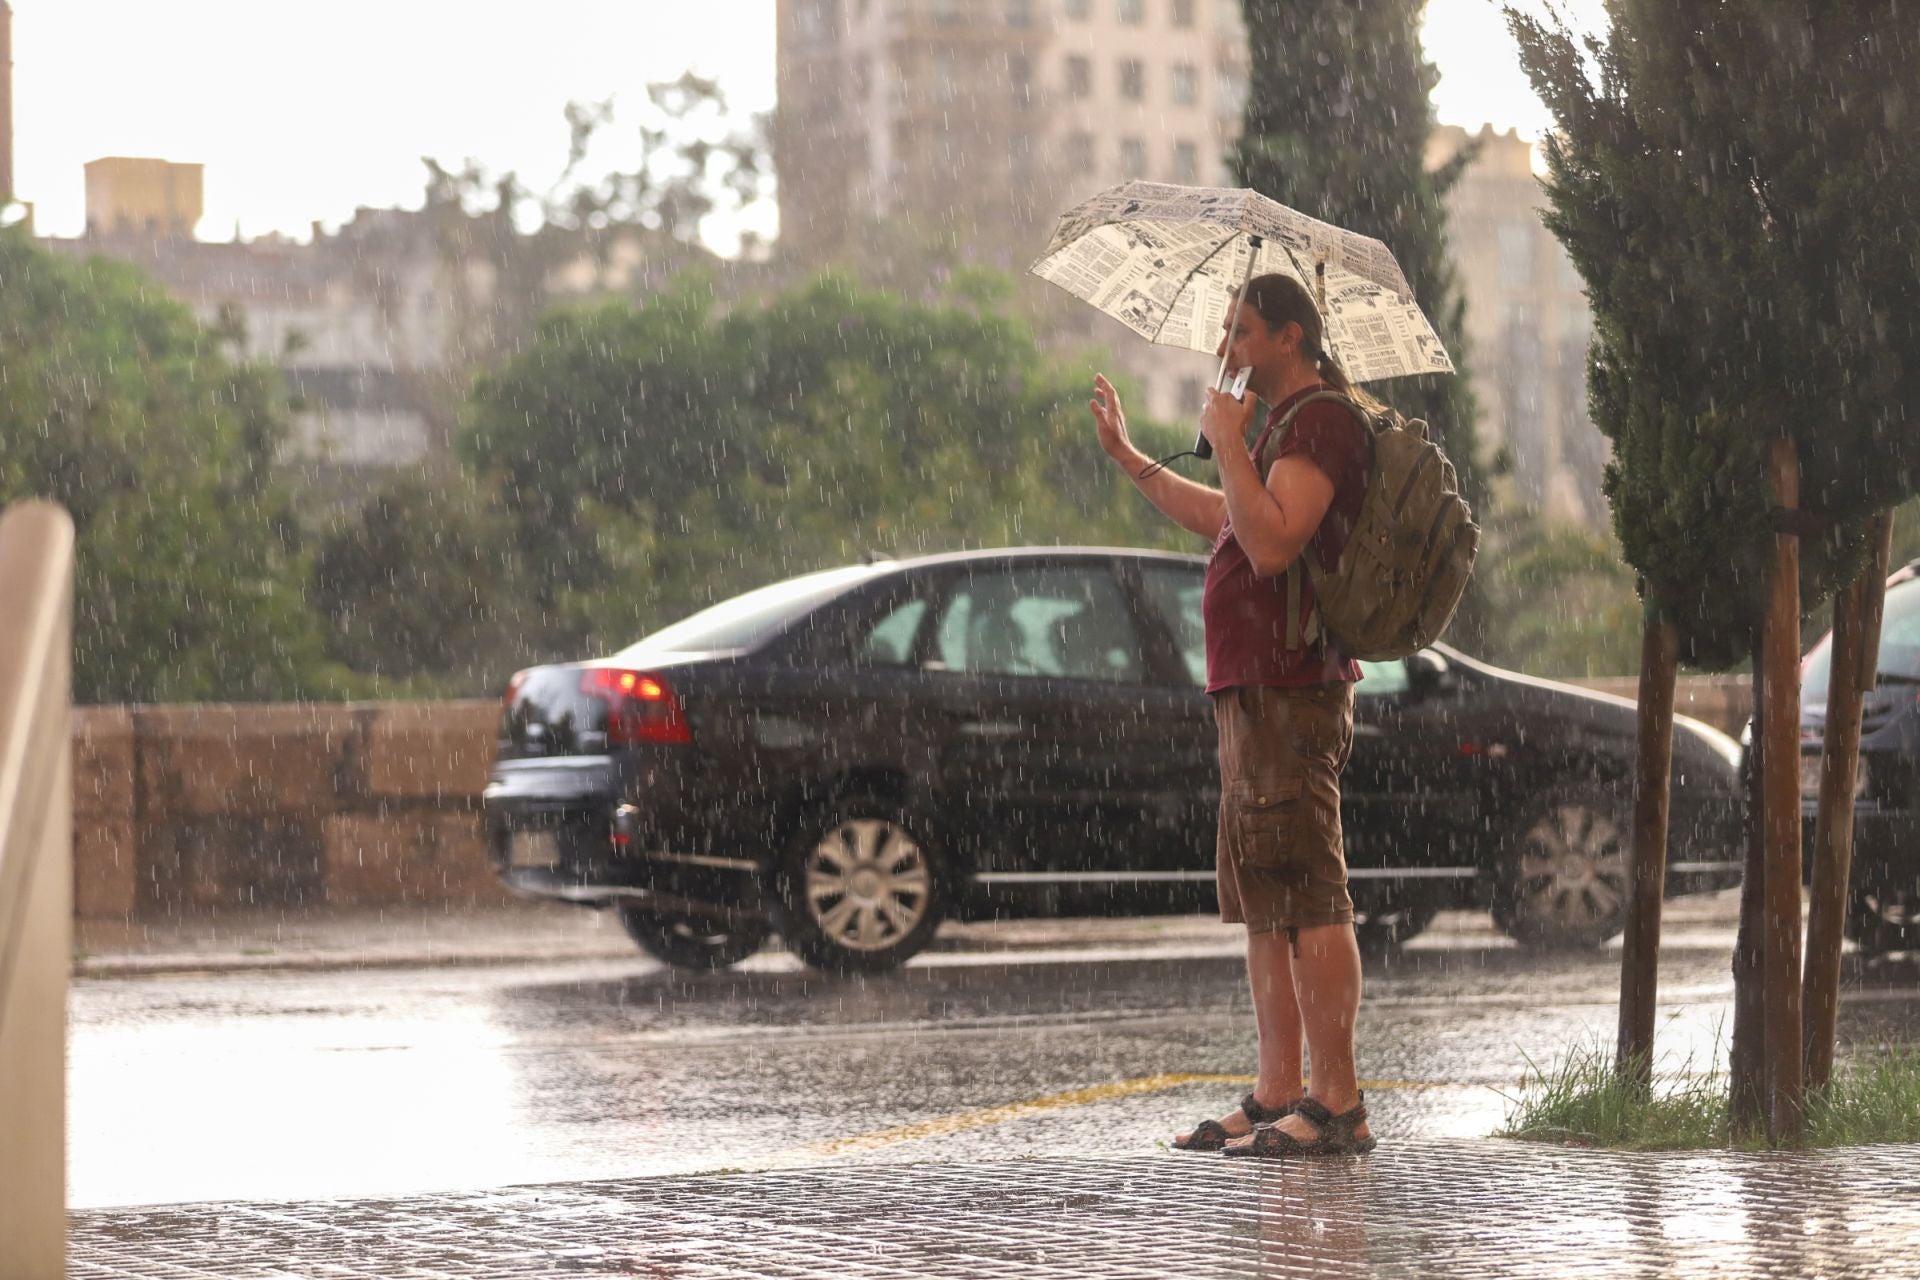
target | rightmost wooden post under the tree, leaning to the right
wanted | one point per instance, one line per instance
(1850, 676)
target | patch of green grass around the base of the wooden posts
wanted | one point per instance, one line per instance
(1583, 1102)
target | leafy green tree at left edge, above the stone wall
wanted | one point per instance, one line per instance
(120, 406)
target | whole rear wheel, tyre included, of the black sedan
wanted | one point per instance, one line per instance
(861, 889)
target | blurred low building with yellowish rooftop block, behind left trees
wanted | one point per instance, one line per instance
(375, 325)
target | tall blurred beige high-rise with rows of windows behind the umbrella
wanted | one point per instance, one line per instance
(976, 124)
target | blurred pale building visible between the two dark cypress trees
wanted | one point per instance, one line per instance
(1527, 325)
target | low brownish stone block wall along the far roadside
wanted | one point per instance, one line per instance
(183, 811)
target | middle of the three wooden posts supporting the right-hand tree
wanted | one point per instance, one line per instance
(1781, 937)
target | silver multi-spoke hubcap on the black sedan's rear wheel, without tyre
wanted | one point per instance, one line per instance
(867, 884)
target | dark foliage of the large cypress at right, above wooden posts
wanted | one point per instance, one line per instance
(1735, 185)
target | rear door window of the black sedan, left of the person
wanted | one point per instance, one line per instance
(1068, 623)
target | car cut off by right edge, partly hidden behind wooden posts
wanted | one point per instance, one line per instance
(1884, 901)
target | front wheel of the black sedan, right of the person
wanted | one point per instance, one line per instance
(1566, 872)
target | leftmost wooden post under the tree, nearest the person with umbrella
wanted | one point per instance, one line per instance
(1652, 776)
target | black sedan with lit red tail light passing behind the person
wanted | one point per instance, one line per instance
(855, 755)
